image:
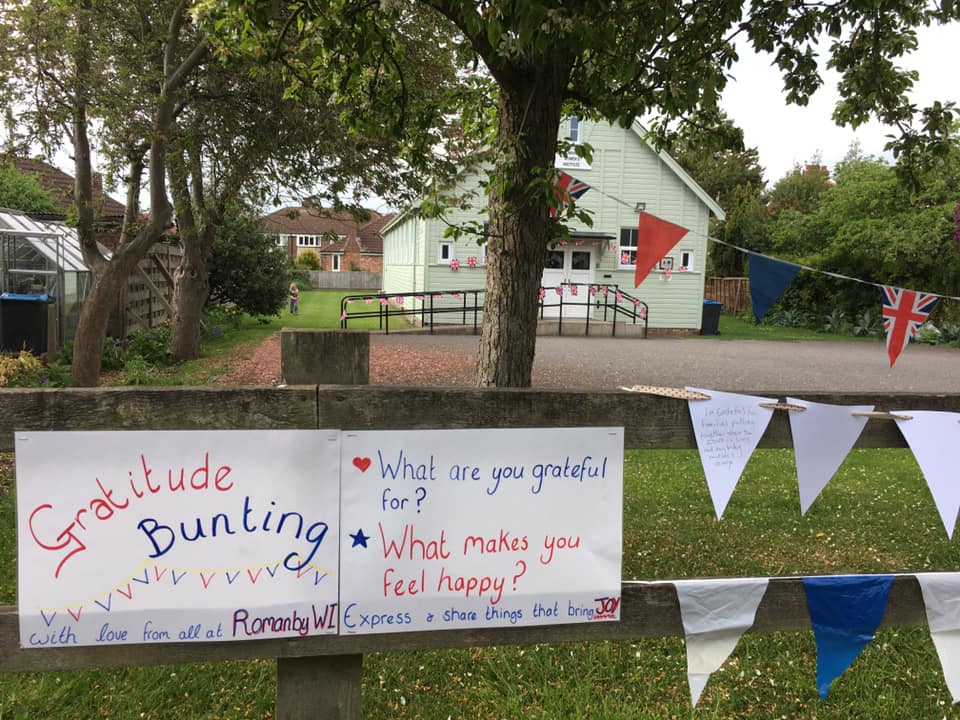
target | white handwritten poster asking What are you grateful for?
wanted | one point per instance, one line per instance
(453, 529)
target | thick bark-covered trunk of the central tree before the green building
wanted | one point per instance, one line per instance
(520, 225)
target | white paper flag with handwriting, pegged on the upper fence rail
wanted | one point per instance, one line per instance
(728, 427)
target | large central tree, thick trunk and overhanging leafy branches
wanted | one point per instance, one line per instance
(660, 61)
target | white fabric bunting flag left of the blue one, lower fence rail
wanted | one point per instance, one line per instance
(715, 614)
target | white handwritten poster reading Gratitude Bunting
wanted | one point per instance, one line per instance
(130, 537)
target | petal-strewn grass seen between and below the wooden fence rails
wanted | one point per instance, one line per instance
(876, 516)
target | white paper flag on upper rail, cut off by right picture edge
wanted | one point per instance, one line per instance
(930, 433)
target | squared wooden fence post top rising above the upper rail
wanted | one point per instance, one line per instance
(324, 356)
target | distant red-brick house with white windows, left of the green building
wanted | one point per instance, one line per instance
(341, 242)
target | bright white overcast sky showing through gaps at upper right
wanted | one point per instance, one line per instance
(786, 135)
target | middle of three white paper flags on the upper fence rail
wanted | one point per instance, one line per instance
(822, 438)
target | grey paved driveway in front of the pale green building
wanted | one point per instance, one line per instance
(735, 365)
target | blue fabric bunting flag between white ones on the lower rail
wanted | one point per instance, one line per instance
(845, 611)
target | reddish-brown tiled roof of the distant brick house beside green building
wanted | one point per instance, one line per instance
(317, 221)
